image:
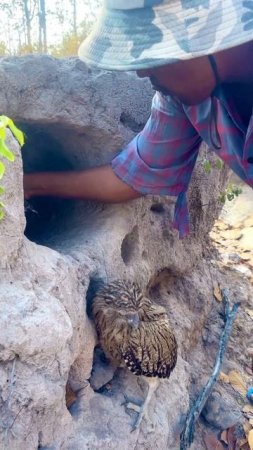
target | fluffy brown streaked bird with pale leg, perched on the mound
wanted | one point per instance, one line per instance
(135, 333)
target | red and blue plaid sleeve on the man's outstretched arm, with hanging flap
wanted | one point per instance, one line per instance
(161, 158)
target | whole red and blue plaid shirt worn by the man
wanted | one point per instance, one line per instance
(161, 158)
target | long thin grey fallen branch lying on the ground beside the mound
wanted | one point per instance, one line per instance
(194, 412)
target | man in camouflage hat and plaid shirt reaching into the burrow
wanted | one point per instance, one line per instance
(198, 55)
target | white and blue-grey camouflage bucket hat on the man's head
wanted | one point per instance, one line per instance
(139, 34)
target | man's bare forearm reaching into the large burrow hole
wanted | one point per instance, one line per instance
(99, 183)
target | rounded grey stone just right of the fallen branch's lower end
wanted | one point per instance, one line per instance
(220, 413)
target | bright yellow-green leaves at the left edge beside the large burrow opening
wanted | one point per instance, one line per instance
(5, 152)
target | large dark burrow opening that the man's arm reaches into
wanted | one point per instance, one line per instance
(55, 147)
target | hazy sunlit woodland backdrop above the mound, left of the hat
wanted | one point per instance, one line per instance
(38, 26)
